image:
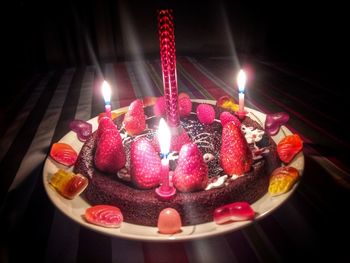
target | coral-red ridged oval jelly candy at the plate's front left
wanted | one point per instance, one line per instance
(104, 215)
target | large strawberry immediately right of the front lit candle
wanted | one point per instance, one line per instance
(191, 172)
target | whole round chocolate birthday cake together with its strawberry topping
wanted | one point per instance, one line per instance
(223, 181)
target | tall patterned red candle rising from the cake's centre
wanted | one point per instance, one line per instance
(168, 59)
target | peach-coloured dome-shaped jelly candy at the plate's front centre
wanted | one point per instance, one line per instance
(169, 221)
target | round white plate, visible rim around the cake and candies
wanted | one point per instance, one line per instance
(75, 208)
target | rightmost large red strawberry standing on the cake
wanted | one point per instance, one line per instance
(235, 155)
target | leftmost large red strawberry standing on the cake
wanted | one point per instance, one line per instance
(110, 154)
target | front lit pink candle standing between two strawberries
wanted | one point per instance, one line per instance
(165, 190)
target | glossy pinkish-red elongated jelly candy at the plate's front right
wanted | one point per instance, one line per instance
(238, 211)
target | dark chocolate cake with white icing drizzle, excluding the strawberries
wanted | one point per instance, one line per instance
(142, 207)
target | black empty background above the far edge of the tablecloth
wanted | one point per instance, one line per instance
(38, 36)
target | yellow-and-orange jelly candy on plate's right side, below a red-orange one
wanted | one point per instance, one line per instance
(282, 180)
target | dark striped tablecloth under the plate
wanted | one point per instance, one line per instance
(310, 225)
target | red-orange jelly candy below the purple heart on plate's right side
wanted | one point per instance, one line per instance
(288, 147)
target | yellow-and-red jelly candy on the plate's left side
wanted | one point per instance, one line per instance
(68, 184)
